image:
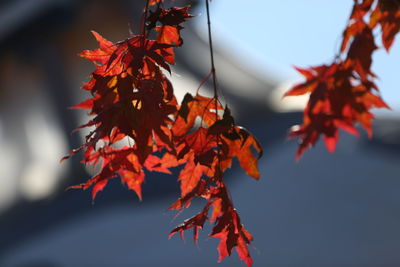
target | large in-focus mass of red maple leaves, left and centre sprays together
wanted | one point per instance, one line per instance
(133, 99)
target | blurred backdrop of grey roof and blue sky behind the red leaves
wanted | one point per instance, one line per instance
(326, 210)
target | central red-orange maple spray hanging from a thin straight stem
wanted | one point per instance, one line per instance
(207, 165)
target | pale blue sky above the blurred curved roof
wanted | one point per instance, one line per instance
(285, 33)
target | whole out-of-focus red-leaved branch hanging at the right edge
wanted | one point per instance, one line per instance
(343, 93)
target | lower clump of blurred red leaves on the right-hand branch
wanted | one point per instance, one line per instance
(335, 102)
